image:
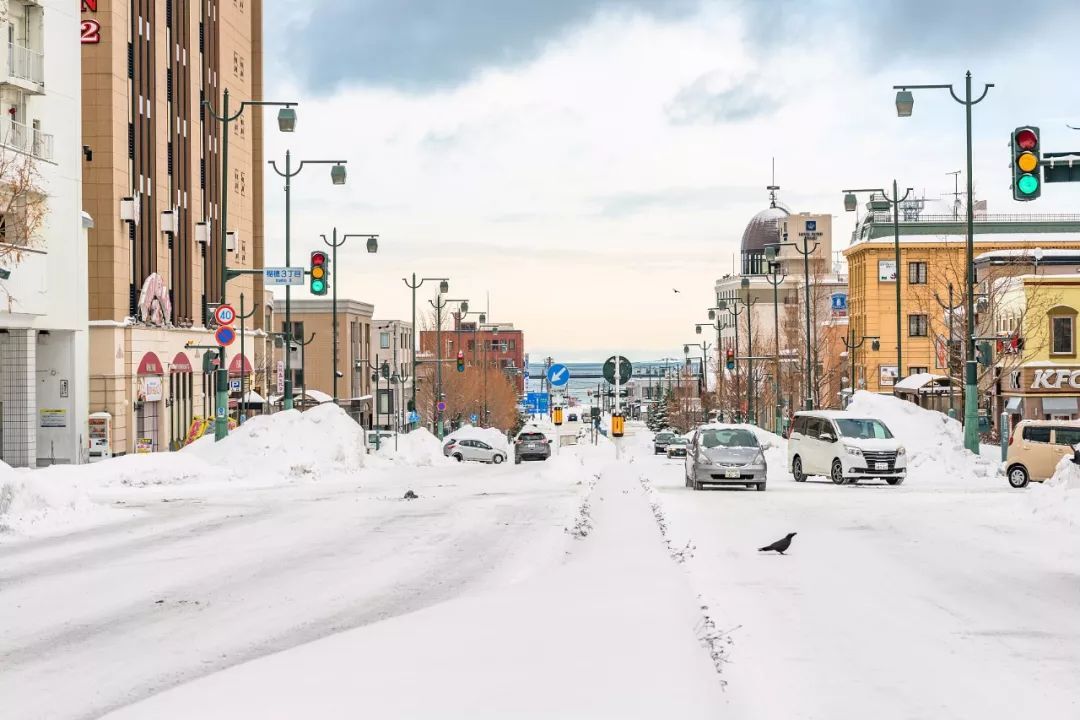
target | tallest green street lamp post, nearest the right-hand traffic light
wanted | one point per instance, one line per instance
(906, 103)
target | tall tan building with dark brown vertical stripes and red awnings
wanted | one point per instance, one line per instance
(155, 189)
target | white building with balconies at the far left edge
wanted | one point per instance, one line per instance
(44, 297)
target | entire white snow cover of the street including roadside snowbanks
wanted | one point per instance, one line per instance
(283, 574)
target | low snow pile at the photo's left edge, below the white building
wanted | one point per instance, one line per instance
(39, 502)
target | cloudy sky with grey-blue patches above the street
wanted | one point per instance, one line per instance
(578, 160)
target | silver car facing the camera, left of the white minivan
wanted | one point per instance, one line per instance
(722, 455)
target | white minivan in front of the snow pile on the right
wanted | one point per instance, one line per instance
(844, 447)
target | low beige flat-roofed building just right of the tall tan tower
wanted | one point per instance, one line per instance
(313, 365)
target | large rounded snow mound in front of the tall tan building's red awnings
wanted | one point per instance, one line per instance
(323, 441)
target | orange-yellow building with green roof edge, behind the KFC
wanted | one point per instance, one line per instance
(933, 259)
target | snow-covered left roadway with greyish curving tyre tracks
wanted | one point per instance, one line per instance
(103, 618)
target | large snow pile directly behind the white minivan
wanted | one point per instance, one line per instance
(935, 442)
